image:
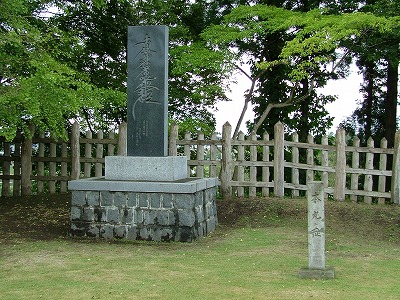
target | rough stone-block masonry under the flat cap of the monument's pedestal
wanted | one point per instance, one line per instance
(147, 216)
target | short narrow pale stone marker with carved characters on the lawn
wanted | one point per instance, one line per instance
(316, 234)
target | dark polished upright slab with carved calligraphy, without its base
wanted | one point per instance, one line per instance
(147, 90)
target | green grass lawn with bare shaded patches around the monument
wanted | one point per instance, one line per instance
(256, 253)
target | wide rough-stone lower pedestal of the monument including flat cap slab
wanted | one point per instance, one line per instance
(170, 211)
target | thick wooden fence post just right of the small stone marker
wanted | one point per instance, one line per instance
(340, 169)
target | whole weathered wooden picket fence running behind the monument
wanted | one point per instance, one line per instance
(246, 166)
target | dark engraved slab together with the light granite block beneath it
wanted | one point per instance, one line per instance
(147, 111)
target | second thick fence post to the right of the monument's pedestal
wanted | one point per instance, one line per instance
(279, 160)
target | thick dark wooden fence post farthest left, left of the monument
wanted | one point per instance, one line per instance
(26, 162)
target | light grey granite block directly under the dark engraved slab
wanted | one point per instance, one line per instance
(169, 168)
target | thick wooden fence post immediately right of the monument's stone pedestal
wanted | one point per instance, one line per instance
(226, 162)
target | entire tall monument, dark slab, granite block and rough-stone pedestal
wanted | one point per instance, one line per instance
(146, 195)
